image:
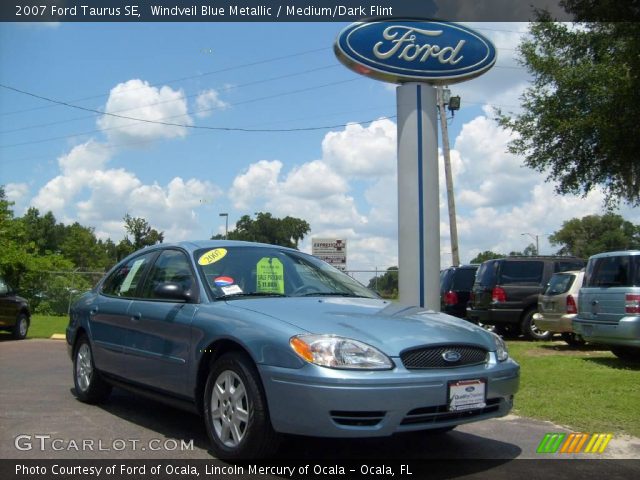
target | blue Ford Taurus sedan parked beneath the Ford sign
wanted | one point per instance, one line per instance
(264, 340)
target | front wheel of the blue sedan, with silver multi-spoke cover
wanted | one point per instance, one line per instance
(235, 410)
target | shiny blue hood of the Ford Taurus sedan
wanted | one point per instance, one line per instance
(387, 326)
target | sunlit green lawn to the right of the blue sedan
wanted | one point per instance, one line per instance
(585, 389)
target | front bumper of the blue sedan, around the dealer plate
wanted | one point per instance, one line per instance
(337, 403)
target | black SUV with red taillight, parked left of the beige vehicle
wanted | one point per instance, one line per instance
(505, 293)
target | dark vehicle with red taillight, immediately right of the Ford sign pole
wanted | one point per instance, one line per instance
(455, 288)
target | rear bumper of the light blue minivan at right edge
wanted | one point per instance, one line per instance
(626, 332)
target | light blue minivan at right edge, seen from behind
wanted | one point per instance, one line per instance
(609, 303)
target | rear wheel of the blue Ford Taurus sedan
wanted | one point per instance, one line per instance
(89, 385)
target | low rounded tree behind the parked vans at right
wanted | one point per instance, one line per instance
(593, 234)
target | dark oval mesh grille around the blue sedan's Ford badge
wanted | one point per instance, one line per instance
(434, 357)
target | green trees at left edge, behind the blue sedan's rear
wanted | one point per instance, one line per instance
(47, 262)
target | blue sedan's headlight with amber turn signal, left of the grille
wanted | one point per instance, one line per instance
(339, 352)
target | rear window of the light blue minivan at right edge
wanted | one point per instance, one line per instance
(622, 271)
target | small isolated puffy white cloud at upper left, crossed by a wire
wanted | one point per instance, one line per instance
(137, 99)
